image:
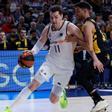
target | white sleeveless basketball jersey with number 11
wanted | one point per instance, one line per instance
(60, 53)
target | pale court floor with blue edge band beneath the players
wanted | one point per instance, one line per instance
(39, 102)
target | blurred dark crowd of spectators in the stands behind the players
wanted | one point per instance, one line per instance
(22, 21)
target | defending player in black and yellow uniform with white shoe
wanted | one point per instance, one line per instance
(84, 77)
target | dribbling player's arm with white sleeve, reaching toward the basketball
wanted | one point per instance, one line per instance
(40, 43)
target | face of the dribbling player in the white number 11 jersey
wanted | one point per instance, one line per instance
(56, 18)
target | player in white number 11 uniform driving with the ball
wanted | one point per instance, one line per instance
(59, 61)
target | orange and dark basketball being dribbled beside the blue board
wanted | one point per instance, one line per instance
(26, 59)
